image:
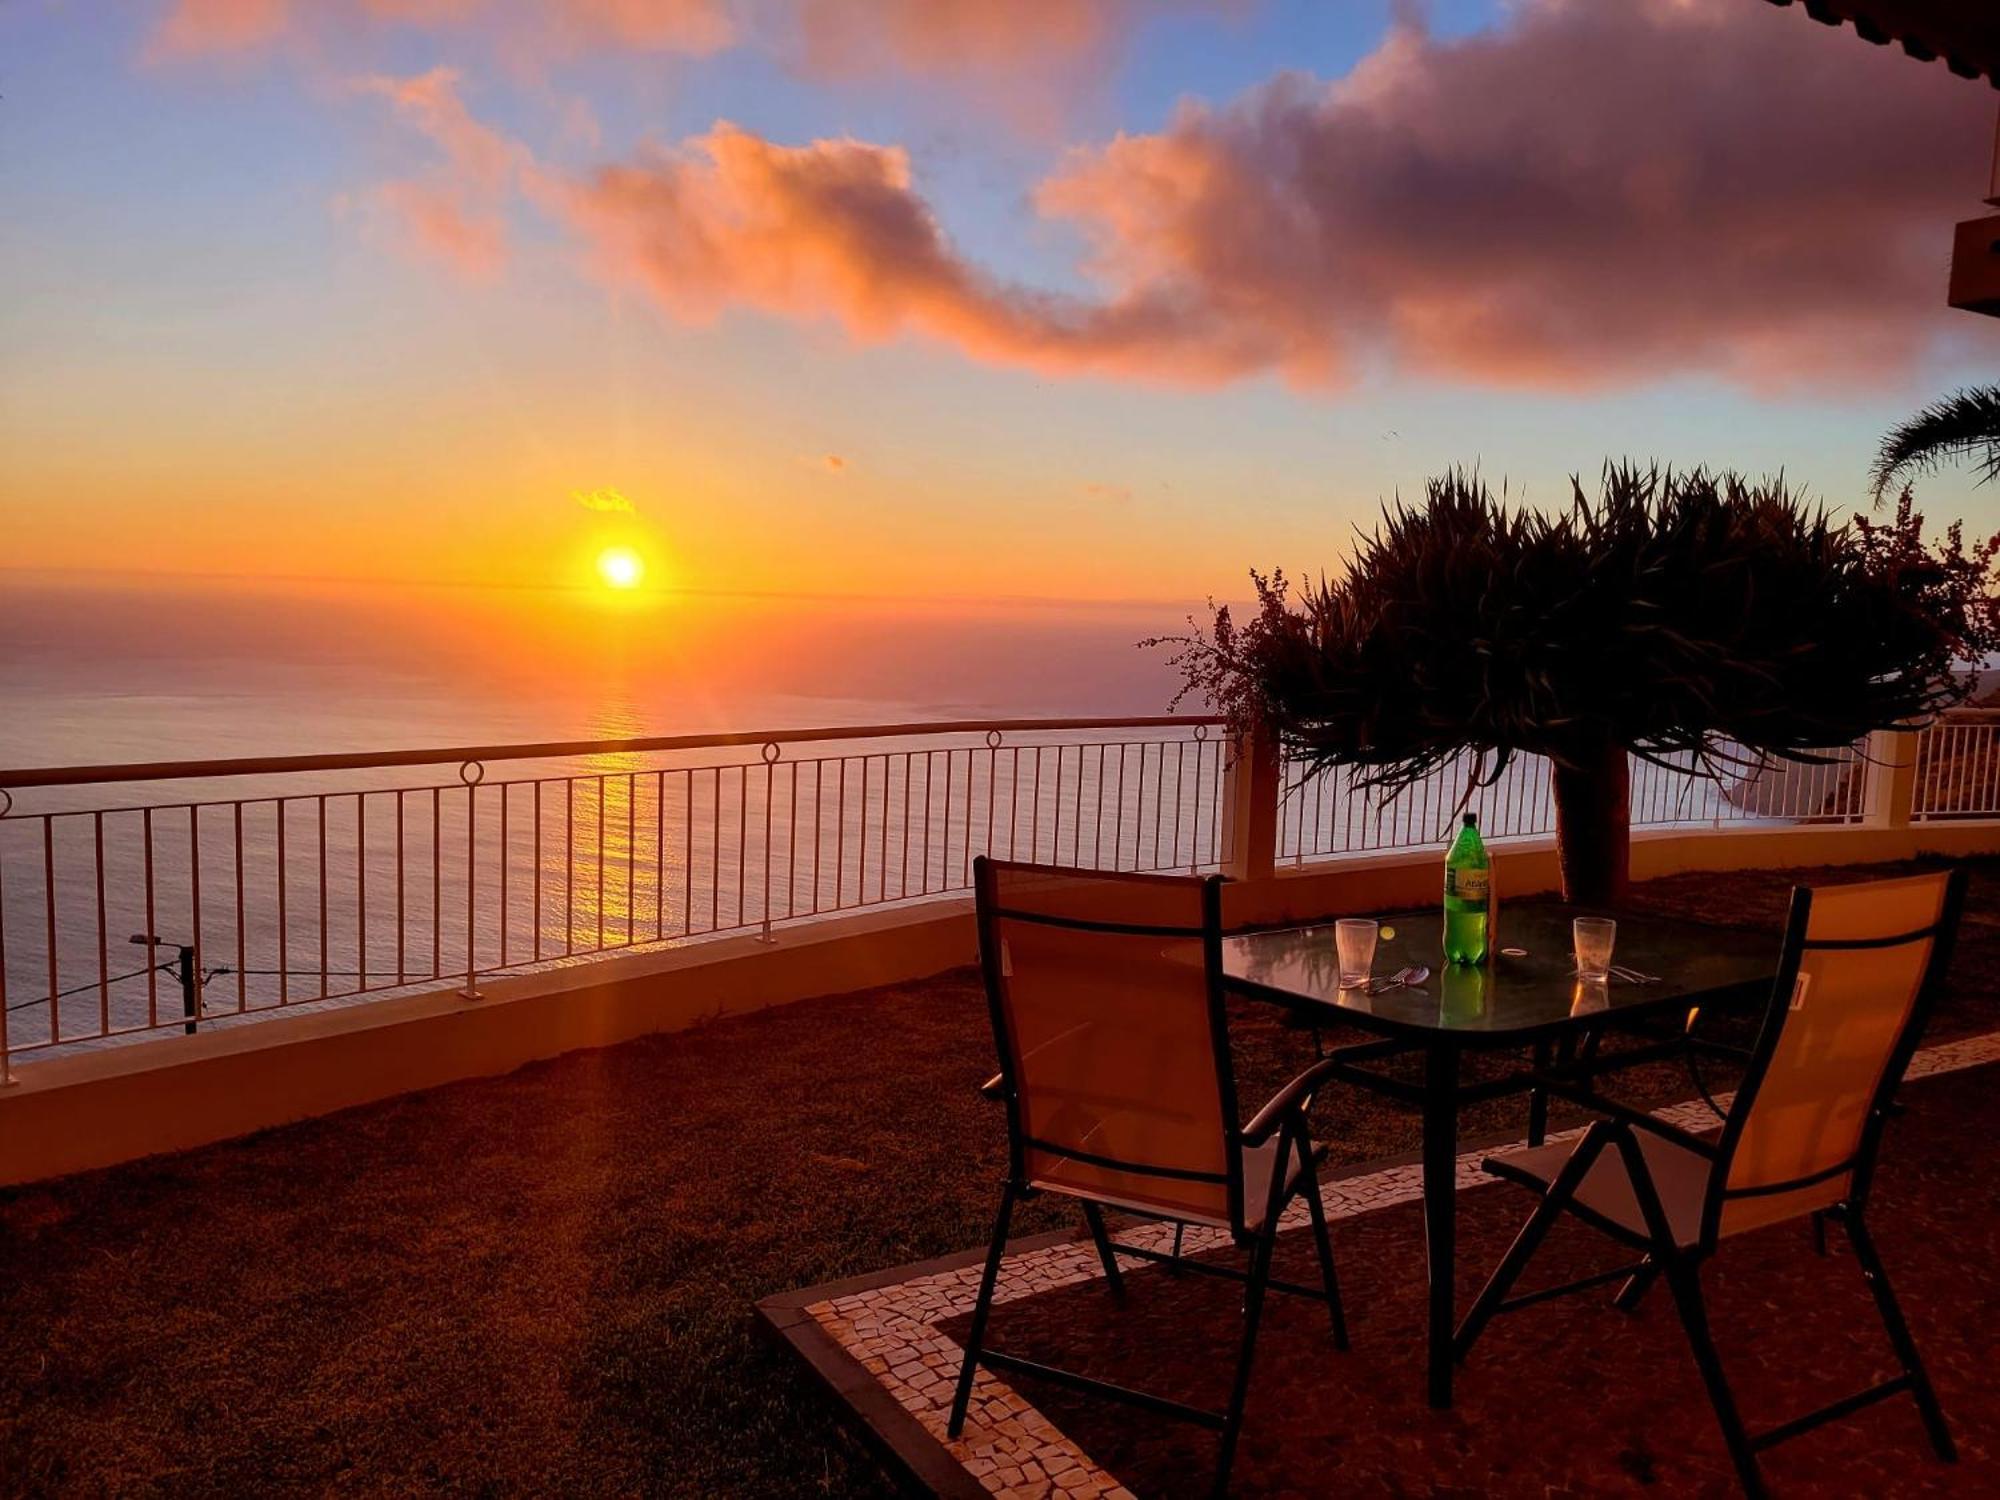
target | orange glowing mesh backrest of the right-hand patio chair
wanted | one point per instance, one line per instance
(1857, 981)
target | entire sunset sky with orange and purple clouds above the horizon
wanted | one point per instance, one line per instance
(1061, 299)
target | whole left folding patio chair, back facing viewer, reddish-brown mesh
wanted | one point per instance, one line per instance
(1115, 1069)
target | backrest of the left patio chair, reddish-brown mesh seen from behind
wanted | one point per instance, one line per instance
(1109, 1019)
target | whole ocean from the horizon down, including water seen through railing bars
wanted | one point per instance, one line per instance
(337, 887)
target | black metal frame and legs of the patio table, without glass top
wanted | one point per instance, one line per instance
(1567, 1047)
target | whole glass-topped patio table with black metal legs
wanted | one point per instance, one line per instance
(1519, 1001)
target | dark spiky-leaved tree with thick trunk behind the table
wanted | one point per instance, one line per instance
(1693, 617)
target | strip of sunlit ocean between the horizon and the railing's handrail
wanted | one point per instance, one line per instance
(171, 671)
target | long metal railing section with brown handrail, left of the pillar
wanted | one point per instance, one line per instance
(311, 881)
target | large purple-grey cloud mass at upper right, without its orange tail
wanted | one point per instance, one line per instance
(1591, 193)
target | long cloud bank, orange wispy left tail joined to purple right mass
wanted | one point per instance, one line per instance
(1587, 195)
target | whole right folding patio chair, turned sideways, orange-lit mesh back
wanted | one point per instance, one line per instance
(1857, 981)
